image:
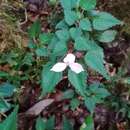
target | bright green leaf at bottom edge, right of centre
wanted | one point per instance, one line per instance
(88, 124)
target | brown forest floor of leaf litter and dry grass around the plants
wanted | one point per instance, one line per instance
(15, 19)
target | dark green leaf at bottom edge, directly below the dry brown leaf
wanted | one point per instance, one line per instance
(40, 124)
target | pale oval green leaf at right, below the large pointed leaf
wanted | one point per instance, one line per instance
(107, 36)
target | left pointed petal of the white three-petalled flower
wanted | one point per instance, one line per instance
(59, 67)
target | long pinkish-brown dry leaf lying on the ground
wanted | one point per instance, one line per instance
(38, 107)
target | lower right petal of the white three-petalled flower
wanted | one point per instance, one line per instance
(76, 67)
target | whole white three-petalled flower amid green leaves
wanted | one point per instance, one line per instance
(69, 60)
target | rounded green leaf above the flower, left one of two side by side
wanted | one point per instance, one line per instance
(63, 34)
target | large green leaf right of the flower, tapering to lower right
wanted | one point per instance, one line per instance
(95, 60)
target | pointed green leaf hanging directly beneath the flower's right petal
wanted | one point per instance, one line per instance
(78, 81)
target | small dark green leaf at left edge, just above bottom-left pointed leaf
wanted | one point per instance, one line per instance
(4, 105)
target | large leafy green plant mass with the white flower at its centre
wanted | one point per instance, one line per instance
(79, 36)
